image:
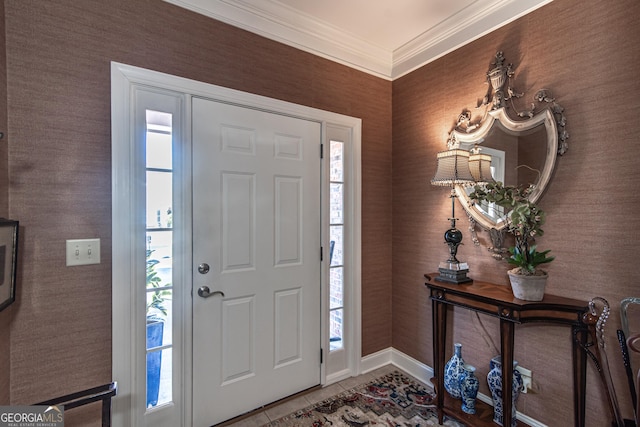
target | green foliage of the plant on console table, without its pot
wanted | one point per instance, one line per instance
(524, 220)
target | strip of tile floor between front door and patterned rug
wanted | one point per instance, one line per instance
(262, 417)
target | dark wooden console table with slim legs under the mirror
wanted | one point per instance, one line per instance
(498, 301)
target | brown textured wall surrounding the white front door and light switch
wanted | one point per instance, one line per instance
(58, 67)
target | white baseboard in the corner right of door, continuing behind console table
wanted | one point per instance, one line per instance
(422, 372)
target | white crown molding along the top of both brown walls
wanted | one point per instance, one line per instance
(286, 25)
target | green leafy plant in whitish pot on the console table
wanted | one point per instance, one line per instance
(524, 220)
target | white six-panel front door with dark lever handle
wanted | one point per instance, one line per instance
(256, 253)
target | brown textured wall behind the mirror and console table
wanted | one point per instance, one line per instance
(588, 54)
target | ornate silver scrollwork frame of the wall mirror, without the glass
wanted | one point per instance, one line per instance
(543, 110)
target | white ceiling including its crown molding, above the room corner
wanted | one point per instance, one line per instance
(386, 38)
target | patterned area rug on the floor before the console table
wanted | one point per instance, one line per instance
(393, 400)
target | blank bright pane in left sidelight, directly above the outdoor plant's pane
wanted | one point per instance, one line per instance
(159, 199)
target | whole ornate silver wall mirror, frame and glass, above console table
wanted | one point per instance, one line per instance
(523, 145)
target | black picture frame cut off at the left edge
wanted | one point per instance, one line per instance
(8, 261)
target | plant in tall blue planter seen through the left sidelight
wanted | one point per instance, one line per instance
(156, 315)
